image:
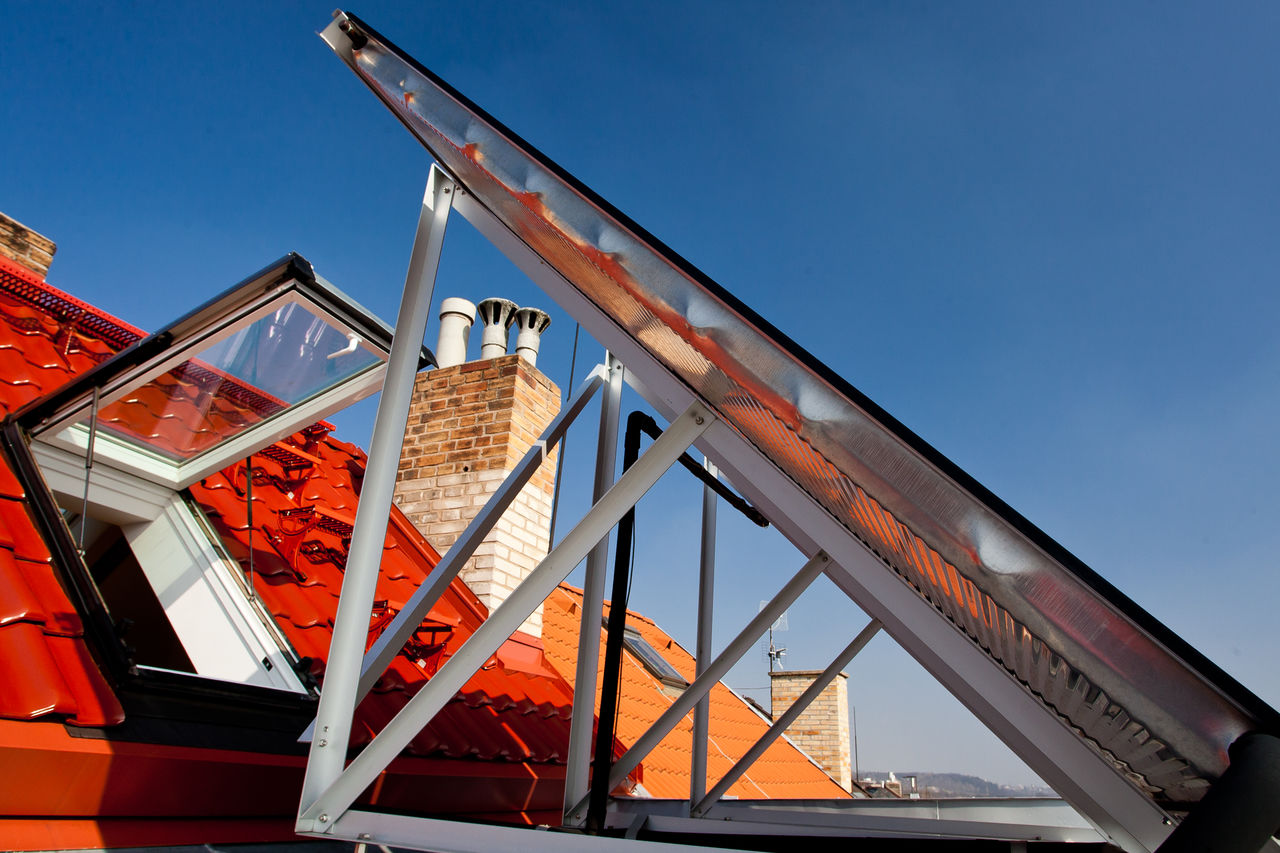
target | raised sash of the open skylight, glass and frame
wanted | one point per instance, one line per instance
(268, 358)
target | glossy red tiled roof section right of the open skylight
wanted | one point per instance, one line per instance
(305, 495)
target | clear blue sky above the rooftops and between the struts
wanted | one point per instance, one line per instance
(1046, 240)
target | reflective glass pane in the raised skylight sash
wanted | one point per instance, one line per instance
(280, 361)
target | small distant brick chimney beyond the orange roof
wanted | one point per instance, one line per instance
(822, 731)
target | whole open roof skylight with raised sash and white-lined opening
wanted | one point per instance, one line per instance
(120, 445)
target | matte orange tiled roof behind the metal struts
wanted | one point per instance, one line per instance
(781, 773)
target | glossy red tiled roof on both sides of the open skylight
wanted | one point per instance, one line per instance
(305, 495)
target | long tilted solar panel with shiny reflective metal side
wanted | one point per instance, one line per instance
(1151, 706)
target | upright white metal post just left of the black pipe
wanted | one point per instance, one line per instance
(587, 673)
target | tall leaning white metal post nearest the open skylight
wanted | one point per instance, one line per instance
(351, 623)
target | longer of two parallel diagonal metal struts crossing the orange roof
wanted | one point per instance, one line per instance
(717, 670)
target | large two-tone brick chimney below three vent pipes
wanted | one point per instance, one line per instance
(469, 426)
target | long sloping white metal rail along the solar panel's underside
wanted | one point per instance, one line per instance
(1122, 813)
